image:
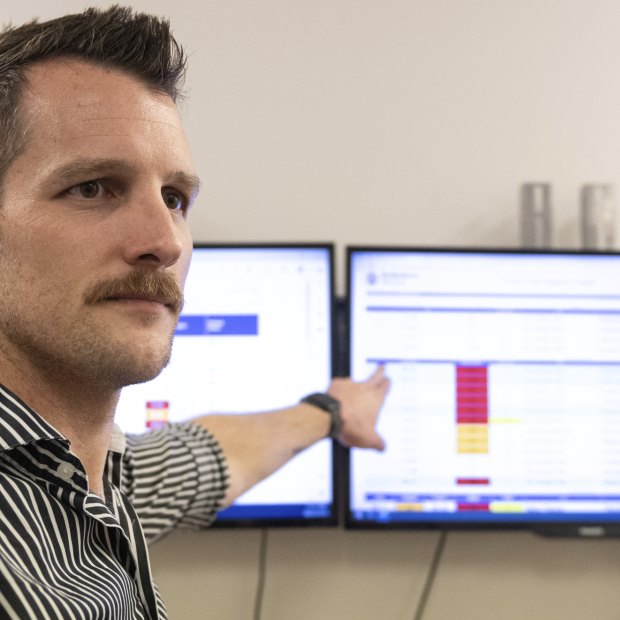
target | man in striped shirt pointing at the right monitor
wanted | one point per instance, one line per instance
(96, 181)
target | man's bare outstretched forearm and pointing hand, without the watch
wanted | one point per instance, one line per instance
(256, 445)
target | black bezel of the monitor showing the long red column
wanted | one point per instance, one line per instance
(580, 527)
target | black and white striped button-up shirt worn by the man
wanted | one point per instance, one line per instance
(66, 553)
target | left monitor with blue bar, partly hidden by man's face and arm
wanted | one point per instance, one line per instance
(255, 334)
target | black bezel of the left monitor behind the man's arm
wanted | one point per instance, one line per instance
(333, 518)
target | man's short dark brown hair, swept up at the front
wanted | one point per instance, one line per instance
(117, 38)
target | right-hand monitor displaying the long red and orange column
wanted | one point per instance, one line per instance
(504, 409)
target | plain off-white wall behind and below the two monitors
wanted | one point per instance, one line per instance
(409, 122)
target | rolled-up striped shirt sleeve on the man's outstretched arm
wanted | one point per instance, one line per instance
(175, 477)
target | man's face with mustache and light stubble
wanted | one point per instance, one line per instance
(94, 238)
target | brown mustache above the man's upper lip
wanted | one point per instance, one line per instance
(156, 286)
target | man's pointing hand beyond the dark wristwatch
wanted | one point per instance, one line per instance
(360, 403)
